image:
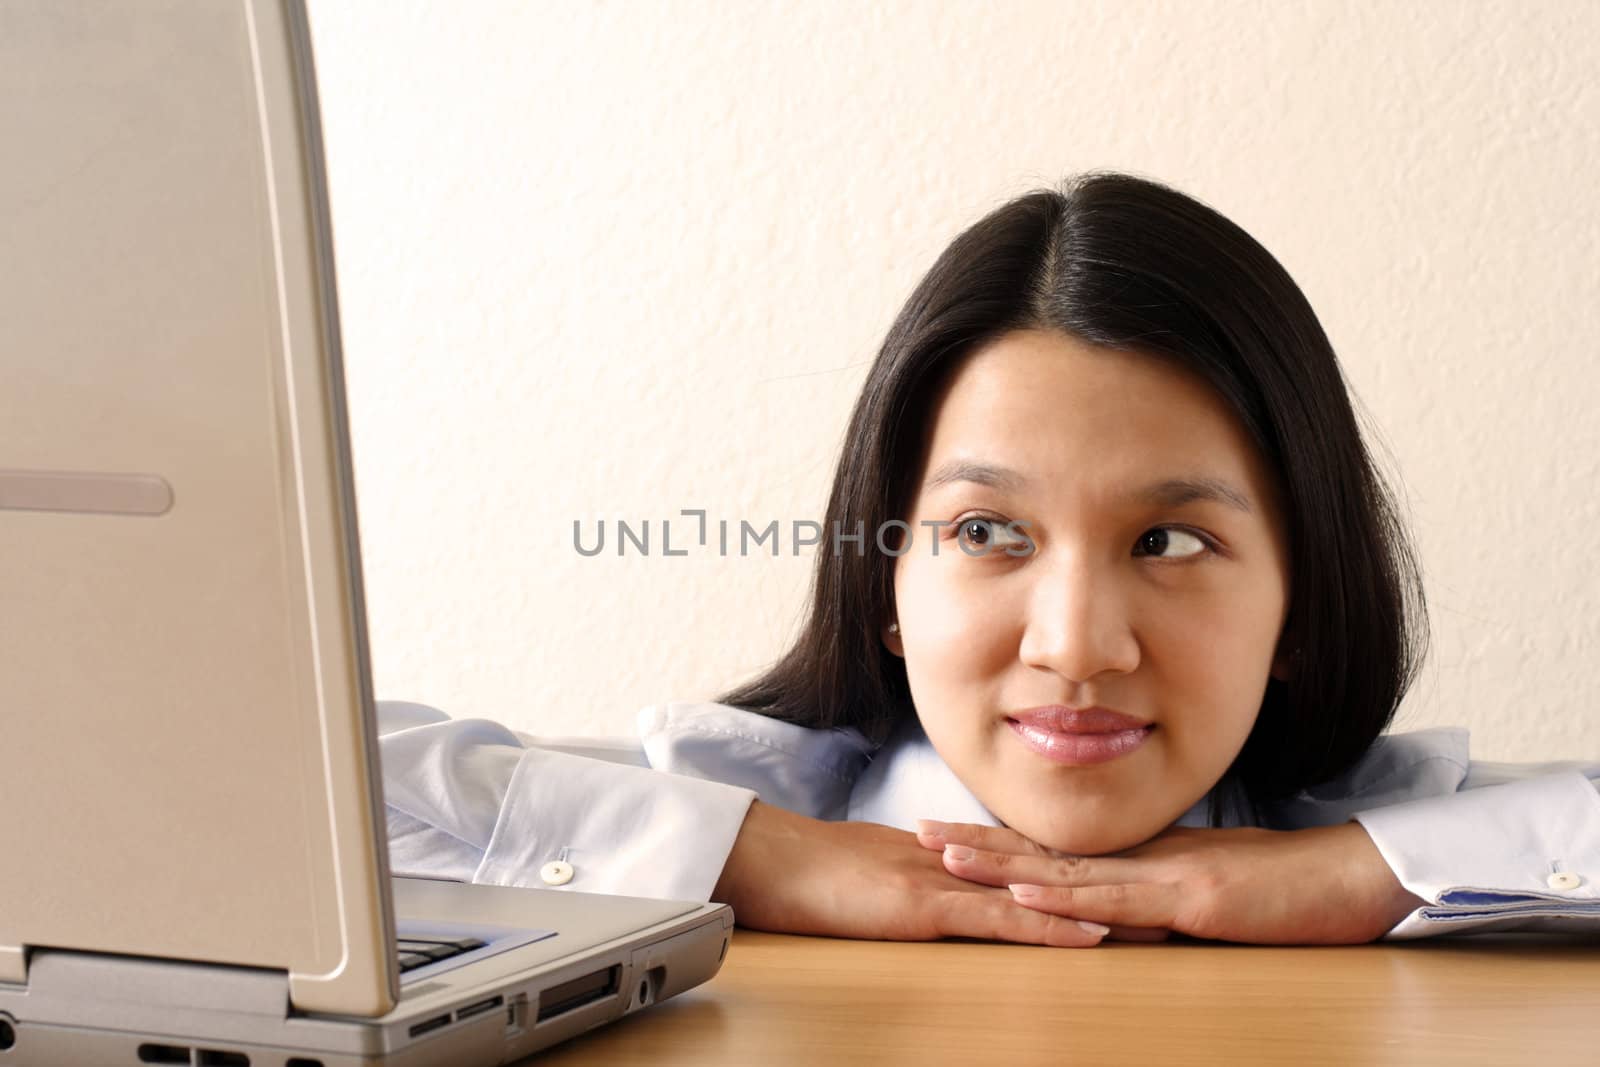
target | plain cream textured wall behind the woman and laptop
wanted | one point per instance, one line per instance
(620, 260)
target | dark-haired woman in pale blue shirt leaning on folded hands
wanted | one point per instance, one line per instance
(1114, 593)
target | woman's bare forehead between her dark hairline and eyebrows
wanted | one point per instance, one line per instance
(1076, 415)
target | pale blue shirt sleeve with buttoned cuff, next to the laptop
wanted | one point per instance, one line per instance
(474, 802)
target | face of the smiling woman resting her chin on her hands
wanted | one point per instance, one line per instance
(1151, 578)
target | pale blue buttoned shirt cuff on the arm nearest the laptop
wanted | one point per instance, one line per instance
(615, 829)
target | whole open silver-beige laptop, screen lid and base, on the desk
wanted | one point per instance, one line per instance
(194, 863)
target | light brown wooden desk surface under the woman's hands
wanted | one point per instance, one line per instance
(1494, 1001)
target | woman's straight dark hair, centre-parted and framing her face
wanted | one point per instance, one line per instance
(1127, 263)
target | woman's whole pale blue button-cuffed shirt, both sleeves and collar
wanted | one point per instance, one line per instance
(1489, 845)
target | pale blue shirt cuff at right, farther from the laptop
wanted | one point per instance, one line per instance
(1519, 857)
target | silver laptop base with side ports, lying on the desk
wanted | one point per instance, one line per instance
(94, 1009)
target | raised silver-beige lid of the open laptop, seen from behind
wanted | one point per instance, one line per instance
(190, 759)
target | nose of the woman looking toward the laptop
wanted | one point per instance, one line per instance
(1078, 625)
